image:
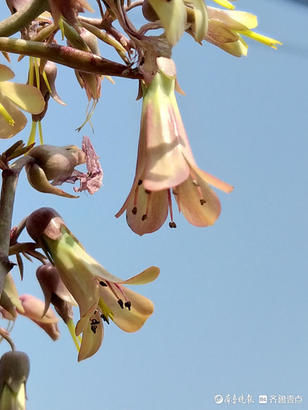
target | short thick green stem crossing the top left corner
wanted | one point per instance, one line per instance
(22, 18)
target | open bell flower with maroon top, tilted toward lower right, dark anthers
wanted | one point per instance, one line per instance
(100, 295)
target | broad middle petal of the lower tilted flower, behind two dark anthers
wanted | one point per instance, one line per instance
(128, 320)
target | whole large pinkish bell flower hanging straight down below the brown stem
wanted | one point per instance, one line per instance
(165, 162)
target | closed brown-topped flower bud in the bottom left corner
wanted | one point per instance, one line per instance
(14, 372)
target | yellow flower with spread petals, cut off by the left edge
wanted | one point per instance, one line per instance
(12, 97)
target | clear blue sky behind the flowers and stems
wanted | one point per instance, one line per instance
(231, 305)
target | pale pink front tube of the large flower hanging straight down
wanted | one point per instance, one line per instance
(160, 134)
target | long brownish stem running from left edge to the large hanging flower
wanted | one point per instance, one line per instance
(68, 56)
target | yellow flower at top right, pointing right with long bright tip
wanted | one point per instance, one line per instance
(226, 28)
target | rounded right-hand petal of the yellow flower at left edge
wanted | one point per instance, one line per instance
(24, 96)
